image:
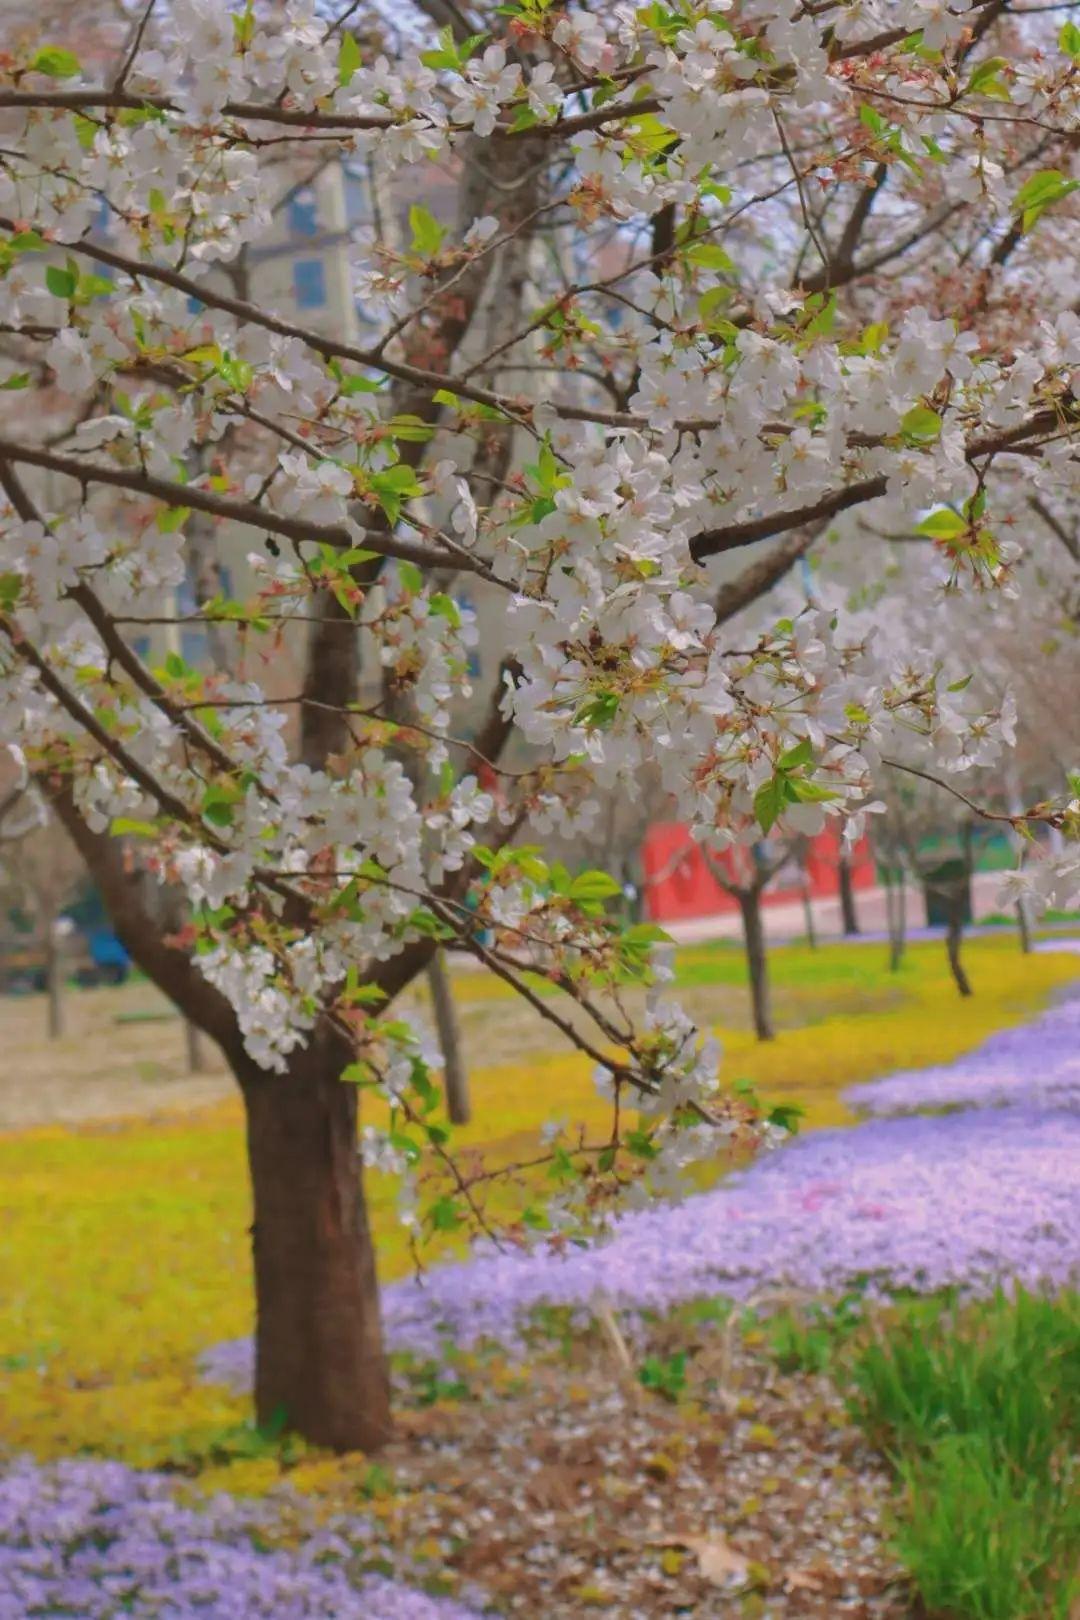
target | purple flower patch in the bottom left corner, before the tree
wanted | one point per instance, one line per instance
(98, 1540)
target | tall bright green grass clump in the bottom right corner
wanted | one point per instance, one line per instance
(980, 1412)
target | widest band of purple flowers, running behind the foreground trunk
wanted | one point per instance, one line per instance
(967, 1200)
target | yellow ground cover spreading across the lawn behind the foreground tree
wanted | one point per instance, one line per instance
(125, 1251)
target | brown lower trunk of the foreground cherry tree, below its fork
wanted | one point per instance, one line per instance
(320, 1360)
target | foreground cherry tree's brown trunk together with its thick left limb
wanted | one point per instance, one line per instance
(320, 1358)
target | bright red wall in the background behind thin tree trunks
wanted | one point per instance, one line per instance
(679, 884)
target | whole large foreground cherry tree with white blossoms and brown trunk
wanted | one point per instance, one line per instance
(715, 276)
